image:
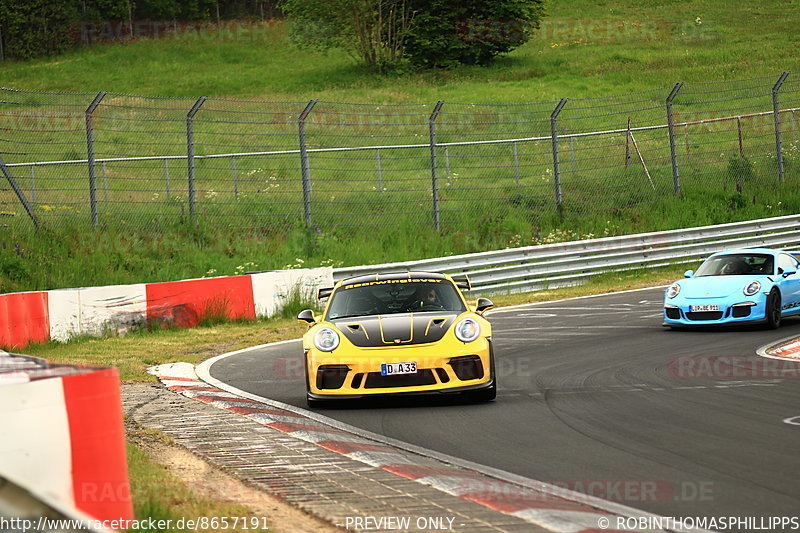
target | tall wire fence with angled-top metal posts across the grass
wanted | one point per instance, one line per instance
(115, 160)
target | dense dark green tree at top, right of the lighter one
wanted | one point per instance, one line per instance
(470, 32)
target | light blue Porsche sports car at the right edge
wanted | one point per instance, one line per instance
(736, 287)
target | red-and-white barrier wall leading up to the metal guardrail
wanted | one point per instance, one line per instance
(39, 316)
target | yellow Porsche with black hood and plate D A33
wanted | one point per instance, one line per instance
(398, 334)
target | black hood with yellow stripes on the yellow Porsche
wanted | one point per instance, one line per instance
(395, 330)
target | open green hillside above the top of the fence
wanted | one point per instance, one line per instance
(585, 49)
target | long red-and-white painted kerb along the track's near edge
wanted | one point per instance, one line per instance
(558, 509)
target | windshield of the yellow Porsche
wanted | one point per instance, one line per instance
(395, 296)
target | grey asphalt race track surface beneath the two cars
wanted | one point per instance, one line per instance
(596, 396)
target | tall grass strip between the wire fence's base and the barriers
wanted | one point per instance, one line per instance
(72, 255)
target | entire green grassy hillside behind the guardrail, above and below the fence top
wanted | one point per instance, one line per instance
(585, 49)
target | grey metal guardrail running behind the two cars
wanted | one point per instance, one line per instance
(550, 266)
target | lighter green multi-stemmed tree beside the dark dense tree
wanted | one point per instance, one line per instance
(372, 30)
